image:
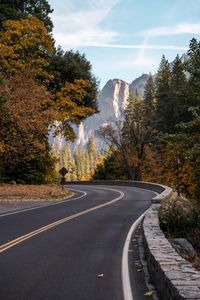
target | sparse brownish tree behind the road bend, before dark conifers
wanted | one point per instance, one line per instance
(138, 129)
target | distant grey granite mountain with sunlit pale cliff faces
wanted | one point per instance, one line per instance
(112, 101)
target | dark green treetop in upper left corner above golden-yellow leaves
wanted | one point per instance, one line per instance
(18, 9)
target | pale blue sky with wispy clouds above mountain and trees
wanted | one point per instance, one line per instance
(125, 38)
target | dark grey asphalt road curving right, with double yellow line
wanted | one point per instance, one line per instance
(58, 252)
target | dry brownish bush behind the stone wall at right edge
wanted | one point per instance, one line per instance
(180, 218)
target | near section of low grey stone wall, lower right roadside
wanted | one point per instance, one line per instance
(173, 276)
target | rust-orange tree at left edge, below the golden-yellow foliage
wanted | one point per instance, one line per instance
(24, 130)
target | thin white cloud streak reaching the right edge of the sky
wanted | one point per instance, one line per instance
(182, 28)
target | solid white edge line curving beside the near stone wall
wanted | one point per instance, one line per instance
(126, 285)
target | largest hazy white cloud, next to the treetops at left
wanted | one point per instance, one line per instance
(83, 27)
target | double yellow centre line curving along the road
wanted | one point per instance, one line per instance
(29, 235)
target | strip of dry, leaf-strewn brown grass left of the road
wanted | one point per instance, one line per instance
(32, 192)
